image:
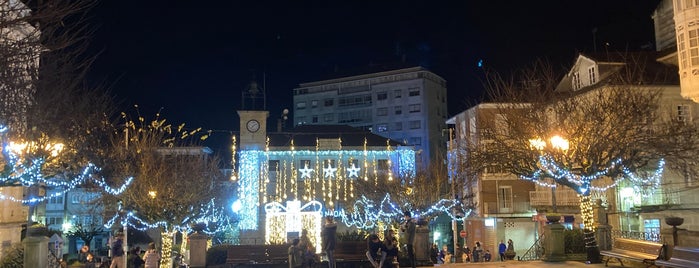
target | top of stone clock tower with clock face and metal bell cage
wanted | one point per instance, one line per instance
(253, 122)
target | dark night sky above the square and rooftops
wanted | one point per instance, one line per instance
(193, 58)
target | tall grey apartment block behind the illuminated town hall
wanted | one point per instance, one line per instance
(407, 105)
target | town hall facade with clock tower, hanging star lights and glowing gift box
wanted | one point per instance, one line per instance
(311, 169)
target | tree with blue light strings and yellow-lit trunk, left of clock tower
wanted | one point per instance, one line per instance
(174, 178)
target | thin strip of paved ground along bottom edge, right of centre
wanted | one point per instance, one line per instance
(527, 264)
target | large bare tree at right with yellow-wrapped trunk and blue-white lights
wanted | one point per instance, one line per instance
(609, 129)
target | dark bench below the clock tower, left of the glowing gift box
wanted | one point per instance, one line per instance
(238, 255)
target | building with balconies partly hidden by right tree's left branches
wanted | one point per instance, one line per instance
(502, 207)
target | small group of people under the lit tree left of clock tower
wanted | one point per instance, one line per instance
(150, 258)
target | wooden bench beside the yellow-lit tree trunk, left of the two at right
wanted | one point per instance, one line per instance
(634, 250)
